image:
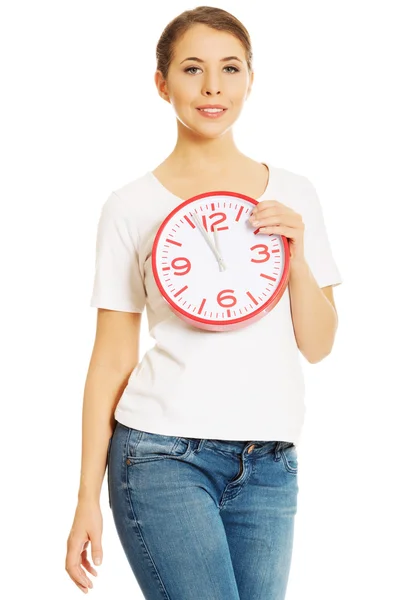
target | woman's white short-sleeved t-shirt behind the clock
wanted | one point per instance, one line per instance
(185, 384)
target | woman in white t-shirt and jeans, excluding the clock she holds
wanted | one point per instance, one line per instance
(202, 460)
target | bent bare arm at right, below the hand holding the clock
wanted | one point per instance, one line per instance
(313, 313)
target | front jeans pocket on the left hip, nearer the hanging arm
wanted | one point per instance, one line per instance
(144, 446)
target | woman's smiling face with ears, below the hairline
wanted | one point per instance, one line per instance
(192, 83)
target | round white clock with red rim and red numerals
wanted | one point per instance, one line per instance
(213, 267)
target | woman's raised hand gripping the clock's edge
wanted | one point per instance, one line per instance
(272, 217)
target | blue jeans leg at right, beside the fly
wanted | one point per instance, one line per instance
(258, 511)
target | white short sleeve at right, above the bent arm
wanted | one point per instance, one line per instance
(317, 248)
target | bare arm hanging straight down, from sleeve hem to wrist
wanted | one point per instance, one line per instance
(115, 355)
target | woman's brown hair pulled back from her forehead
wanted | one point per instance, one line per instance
(216, 18)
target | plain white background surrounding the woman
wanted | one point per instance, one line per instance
(81, 117)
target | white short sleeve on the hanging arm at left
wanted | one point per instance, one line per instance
(118, 283)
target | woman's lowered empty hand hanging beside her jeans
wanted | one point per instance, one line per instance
(87, 526)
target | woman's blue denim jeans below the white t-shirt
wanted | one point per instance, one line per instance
(204, 519)
